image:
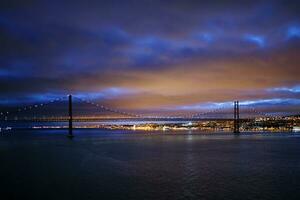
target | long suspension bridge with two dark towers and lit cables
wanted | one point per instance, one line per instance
(76, 109)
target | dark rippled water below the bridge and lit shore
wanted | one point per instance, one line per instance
(99, 164)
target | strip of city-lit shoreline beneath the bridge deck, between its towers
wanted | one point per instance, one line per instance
(282, 124)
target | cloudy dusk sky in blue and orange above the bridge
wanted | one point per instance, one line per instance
(177, 55)
